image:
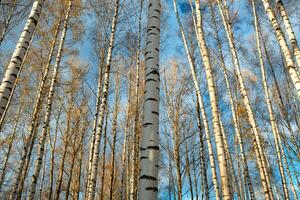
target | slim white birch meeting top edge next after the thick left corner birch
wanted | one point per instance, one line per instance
(49, 107)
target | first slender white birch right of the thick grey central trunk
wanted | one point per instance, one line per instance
(201, 107)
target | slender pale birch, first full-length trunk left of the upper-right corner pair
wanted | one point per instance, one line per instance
(269, 104)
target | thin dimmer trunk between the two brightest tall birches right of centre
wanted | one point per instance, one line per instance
(232, 103)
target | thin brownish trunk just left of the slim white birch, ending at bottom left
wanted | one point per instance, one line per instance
(32, 131)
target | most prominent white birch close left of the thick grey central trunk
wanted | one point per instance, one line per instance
(95, 153)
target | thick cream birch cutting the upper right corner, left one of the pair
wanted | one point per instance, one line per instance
(283, 45)
